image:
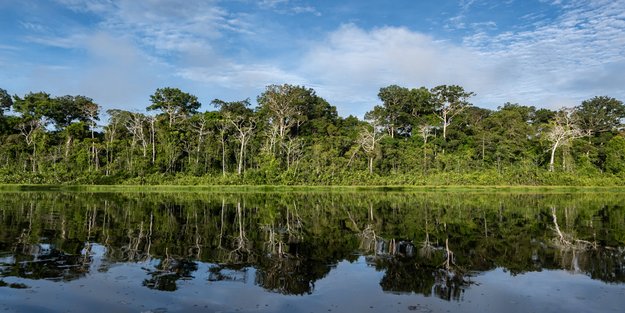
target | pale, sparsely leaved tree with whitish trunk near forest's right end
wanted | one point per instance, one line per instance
(564, 129)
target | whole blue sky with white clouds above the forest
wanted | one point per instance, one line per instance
(545, 53)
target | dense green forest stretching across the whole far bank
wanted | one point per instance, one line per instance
(415, 136)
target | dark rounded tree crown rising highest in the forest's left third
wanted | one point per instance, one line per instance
(174, 103)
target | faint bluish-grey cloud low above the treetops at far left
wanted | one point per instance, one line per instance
(115, 73)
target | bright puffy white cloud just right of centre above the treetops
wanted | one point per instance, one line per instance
(352, 64)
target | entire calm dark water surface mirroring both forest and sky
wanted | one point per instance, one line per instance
(312, 252)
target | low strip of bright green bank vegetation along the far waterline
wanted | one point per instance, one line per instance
(535, 178)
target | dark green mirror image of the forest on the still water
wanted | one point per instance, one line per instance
(426, 243)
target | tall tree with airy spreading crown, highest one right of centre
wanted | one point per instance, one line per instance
(448, 102)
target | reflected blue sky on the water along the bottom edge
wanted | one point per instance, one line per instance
(349, 287)
